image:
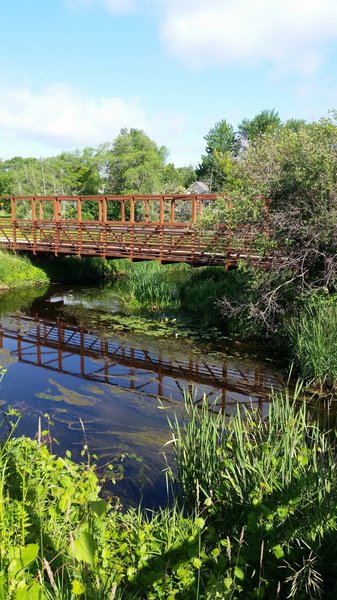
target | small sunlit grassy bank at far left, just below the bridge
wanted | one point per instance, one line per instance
(17, 271)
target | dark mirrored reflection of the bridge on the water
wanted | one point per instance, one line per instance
(57, 346)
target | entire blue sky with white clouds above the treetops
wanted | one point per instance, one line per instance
(74, 72)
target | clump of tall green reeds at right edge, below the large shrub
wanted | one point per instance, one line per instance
(313, 335)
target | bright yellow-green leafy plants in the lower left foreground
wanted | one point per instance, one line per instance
(60, 540)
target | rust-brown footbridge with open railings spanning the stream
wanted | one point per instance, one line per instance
(143, 227)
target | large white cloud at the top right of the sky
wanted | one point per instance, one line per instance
(220, 32)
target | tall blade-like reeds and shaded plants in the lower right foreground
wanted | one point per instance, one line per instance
(267, 490)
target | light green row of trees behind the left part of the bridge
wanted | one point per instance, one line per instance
(132, 163)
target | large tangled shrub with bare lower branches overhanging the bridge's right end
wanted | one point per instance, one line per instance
(295, 168)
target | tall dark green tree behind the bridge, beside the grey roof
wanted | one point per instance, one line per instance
(222, 146)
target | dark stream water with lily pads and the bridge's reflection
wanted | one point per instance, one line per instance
(110, 381)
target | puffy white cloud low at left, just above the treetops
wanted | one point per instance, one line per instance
(62, 116)
